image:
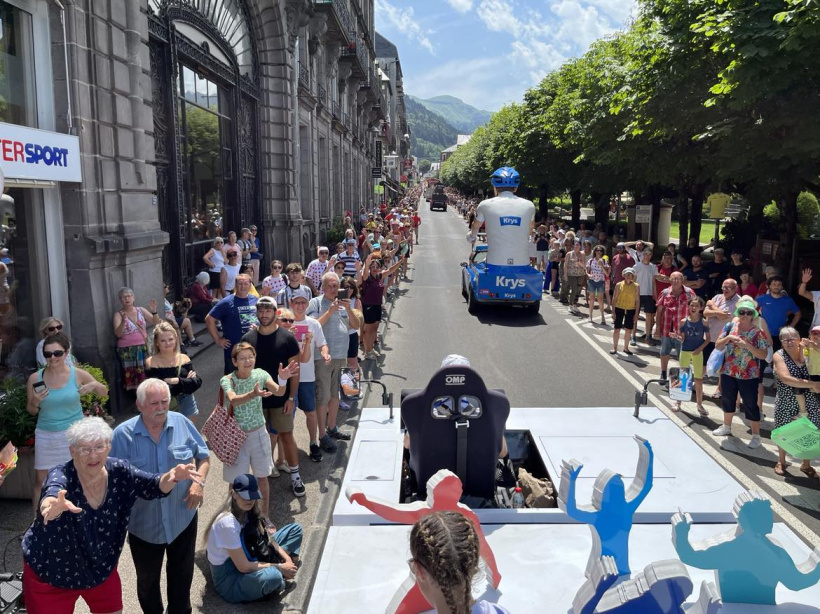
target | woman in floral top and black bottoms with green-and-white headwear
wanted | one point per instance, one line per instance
(745, 345)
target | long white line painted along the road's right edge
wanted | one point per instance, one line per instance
(790, 519)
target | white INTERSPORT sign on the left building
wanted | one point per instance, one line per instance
(27, 153)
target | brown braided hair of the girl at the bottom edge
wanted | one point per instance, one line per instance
(445, 544)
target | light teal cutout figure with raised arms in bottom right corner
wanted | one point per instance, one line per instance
(748, 563)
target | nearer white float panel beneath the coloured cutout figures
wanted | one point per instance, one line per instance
(542, 567)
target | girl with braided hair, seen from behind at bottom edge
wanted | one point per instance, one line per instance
(445, 550)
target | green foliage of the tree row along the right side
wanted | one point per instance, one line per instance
(696, 96)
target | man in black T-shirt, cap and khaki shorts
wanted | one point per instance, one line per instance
(277, 347)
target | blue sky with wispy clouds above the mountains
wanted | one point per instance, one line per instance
(488, 52)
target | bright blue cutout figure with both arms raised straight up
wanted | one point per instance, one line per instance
(610, 515)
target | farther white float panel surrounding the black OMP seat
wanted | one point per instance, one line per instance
(601, 438)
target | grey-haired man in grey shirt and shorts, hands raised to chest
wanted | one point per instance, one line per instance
(337, 319)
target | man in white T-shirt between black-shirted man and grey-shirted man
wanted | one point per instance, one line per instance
(308, 329)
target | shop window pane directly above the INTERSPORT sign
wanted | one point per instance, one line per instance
(17, 92)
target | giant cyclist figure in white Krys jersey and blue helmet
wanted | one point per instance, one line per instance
(509, 221)
